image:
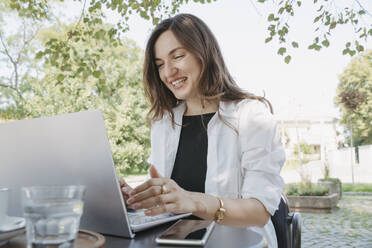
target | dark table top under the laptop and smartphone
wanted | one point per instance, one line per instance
(221, 237)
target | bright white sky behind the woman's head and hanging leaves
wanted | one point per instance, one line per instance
(305, 87)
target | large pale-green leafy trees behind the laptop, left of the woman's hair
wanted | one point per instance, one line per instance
(114, 87)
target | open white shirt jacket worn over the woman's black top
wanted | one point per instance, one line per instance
(241, 163)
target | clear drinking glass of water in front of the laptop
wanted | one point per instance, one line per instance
(52, 215)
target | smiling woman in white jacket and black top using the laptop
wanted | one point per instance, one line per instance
(215, 149)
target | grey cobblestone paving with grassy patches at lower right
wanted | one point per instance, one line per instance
(348, 226)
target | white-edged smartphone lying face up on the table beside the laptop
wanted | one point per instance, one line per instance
(187, 232)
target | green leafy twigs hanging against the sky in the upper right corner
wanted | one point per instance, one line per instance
(328, 18)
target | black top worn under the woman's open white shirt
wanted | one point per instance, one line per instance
(190, 166)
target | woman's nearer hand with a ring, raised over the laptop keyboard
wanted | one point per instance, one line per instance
(161, 195)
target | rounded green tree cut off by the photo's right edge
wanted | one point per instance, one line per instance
(354, 97)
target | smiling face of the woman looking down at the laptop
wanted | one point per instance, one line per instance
(178, 68)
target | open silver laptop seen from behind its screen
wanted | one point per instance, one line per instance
(69, 149)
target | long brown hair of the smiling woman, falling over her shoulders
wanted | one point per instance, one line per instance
(198, 39)
